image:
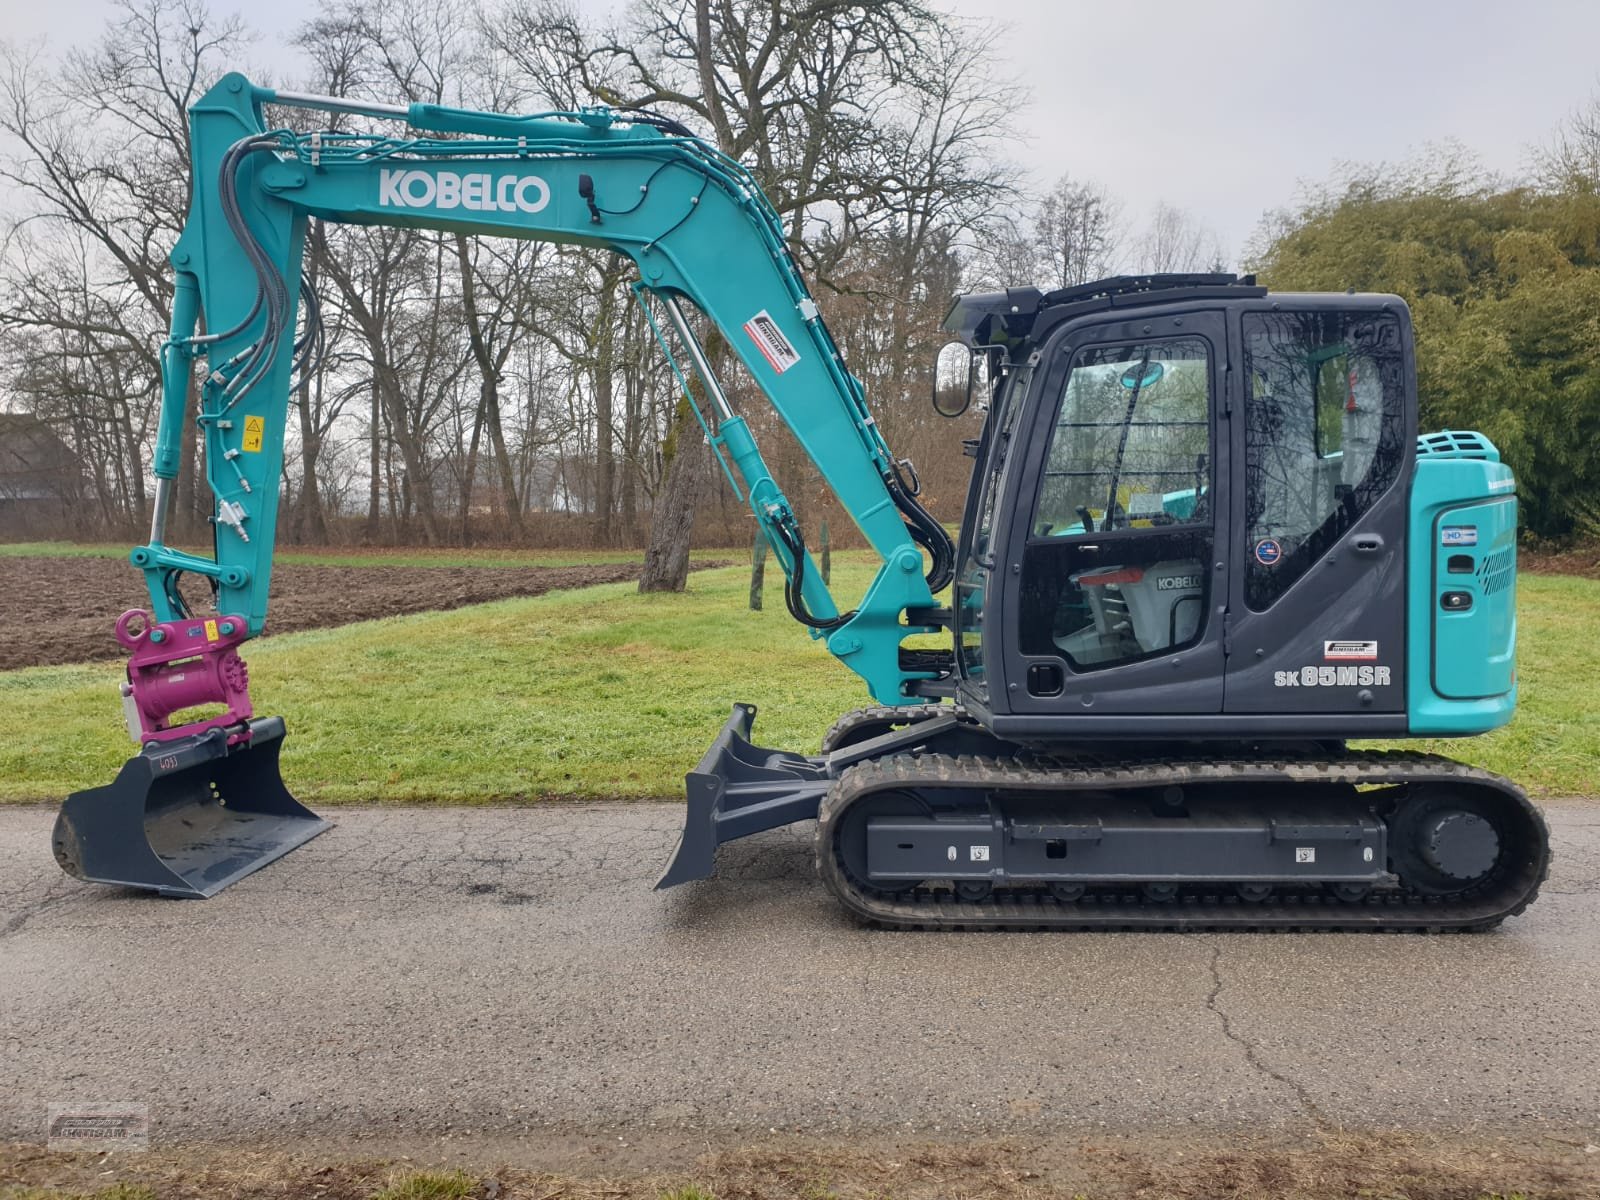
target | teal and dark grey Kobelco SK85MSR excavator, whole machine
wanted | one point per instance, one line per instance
(1204, 550)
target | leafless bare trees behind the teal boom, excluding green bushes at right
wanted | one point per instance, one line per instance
(481, 388)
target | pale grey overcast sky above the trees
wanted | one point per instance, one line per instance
(1220, 108)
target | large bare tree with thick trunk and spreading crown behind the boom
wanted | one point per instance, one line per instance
(809, 98)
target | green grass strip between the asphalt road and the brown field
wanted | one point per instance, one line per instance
(609, 694)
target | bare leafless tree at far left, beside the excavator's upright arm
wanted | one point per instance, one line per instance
(103, 158)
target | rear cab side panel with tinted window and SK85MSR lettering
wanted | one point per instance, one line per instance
(1326, 436)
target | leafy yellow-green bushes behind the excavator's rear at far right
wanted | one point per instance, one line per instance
(1503, 281)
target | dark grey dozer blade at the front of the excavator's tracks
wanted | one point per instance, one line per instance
(740, 790)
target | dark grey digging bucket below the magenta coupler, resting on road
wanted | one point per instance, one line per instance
(188, 817)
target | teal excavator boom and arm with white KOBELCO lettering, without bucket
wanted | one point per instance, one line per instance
(692, 220)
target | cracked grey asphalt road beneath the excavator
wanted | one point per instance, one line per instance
(511, 970)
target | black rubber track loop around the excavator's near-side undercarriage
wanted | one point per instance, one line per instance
(1202, 906)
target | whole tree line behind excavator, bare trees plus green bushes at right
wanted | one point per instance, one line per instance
(513, 391)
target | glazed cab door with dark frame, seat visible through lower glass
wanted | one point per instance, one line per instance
(1118, 559)
